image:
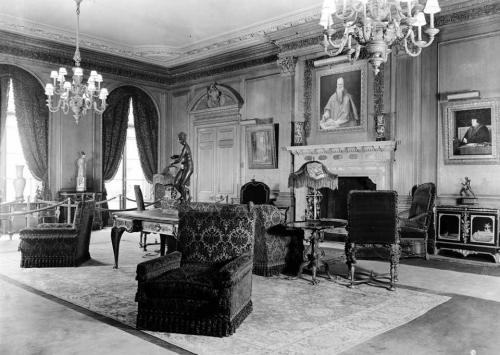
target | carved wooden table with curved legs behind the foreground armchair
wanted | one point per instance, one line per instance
(153, 221)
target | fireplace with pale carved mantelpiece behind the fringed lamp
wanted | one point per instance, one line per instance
(365, 165)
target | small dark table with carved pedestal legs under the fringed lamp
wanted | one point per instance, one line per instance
(314, 253)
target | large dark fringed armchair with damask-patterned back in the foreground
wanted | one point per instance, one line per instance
(205, 287)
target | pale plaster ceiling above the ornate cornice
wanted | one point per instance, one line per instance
(167, 32)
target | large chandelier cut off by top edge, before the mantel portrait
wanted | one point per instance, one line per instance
(376, 25)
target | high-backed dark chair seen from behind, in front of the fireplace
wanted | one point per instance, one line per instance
(372, 222)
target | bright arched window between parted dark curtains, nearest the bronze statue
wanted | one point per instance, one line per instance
(129, 172)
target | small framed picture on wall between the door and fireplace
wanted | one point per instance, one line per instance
(261, 147)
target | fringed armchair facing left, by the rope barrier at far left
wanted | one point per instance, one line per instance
(58, 244)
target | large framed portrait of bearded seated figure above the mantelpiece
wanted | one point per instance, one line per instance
(341, 97)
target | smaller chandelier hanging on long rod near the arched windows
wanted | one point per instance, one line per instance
(75, 94)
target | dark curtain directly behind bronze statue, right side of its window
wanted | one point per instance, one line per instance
(146, 132)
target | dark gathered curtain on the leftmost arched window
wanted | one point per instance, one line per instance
(32, 120)
